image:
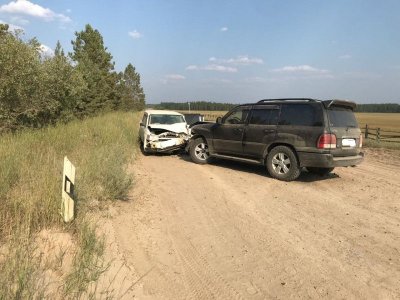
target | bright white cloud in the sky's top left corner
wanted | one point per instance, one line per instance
(25, 7)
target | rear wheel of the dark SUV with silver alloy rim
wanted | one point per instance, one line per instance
(282, 164)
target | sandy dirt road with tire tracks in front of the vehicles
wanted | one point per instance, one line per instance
(228, 231)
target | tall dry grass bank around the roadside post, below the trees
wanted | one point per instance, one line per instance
(31, 163)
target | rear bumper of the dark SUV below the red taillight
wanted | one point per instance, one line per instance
(320, 160)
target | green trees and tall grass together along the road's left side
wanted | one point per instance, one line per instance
(52, 106)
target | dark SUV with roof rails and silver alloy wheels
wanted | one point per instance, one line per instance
(285, 135)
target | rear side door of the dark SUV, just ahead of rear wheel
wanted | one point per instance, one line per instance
(260, 131)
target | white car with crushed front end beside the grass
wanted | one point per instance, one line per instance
(163, 131)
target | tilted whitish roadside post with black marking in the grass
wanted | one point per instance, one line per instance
(67, 201)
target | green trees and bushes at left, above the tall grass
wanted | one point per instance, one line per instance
(37, 89)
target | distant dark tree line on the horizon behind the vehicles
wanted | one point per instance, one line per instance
(216, 106)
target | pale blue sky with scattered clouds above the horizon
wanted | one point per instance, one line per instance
(235, 51)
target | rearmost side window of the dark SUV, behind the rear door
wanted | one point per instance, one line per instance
(301, 115)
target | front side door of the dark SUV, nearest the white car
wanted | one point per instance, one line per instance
(228, 136)
